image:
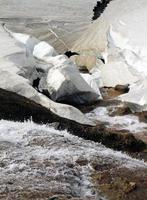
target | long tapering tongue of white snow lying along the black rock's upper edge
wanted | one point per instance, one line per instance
(19, 85)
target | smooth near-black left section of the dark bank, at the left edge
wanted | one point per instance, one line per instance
(17, 108)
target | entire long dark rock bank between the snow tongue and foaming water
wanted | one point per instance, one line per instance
(17, 108)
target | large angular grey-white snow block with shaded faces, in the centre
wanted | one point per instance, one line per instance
(65, 84)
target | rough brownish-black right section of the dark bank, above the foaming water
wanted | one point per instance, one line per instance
(116, 139)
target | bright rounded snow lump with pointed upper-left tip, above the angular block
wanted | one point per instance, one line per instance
(36, 51)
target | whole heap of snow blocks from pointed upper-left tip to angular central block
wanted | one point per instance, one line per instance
(68, 86)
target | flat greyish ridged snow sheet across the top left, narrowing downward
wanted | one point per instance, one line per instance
(42, 18)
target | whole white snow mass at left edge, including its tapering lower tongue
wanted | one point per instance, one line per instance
(11, 79)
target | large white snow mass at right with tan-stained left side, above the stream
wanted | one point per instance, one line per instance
(118, 37)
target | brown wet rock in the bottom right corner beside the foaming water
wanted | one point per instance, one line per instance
(121, 184)
